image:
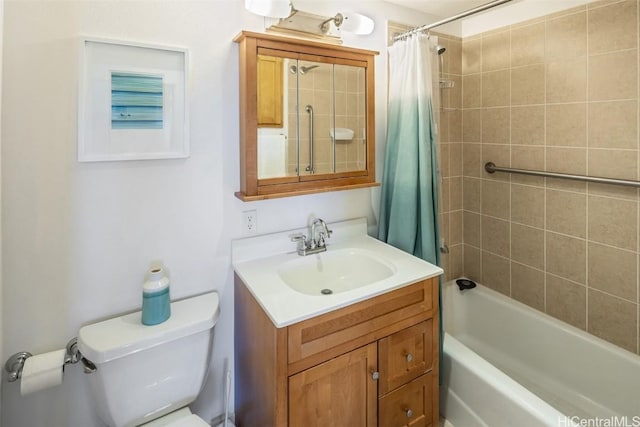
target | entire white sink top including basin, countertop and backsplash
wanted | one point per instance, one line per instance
(355, 267)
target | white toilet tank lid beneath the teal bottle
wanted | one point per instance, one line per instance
(120, 336)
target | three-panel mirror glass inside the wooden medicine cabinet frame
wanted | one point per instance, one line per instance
(311, 117)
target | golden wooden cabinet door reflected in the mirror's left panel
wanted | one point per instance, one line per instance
(270, 93)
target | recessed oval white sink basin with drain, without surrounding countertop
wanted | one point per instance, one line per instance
(334, 272)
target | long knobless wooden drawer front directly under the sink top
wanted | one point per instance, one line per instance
(334, 333)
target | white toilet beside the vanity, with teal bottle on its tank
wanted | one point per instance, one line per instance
(147, 375)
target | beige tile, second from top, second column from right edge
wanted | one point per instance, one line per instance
(567, 80)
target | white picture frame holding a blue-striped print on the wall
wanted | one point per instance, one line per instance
(153, 122)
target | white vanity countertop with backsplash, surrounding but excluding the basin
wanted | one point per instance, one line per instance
(256, 261)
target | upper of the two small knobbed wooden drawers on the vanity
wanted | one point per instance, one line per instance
(405, 356)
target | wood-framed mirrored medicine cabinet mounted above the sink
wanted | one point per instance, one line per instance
(306, 117)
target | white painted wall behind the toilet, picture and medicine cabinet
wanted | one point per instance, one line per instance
(78, 237)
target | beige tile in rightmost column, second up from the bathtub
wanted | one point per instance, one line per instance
(613, 270)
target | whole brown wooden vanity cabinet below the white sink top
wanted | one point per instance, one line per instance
(373, 363)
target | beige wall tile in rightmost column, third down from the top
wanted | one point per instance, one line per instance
(613, 124)
